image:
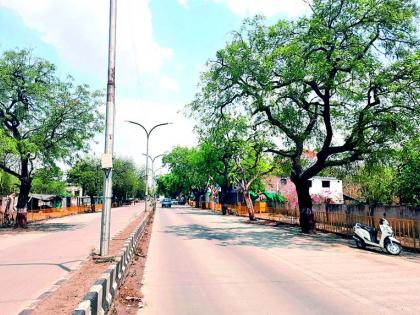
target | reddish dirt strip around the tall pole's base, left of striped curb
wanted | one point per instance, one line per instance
(72, 290)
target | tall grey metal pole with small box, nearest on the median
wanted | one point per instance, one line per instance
(106, 160)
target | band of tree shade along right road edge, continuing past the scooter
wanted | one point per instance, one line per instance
(234, 231)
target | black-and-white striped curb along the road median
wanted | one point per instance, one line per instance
(100, 296)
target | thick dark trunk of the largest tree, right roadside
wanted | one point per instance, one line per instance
(307, 217)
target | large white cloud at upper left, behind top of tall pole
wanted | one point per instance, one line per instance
(78, 30)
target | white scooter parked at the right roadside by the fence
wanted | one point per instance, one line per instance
(367, 235)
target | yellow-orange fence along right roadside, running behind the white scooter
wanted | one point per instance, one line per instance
(406, 230)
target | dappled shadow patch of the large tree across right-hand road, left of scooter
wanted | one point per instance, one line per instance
(258, 236)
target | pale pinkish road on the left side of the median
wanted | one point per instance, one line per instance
(32, 261)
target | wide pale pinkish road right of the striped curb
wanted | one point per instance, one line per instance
(201, 263)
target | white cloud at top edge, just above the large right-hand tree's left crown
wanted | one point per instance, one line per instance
(269, 8)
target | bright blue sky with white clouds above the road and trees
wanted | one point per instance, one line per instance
(162, 47)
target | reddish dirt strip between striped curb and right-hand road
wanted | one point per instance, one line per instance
(129, 298)
